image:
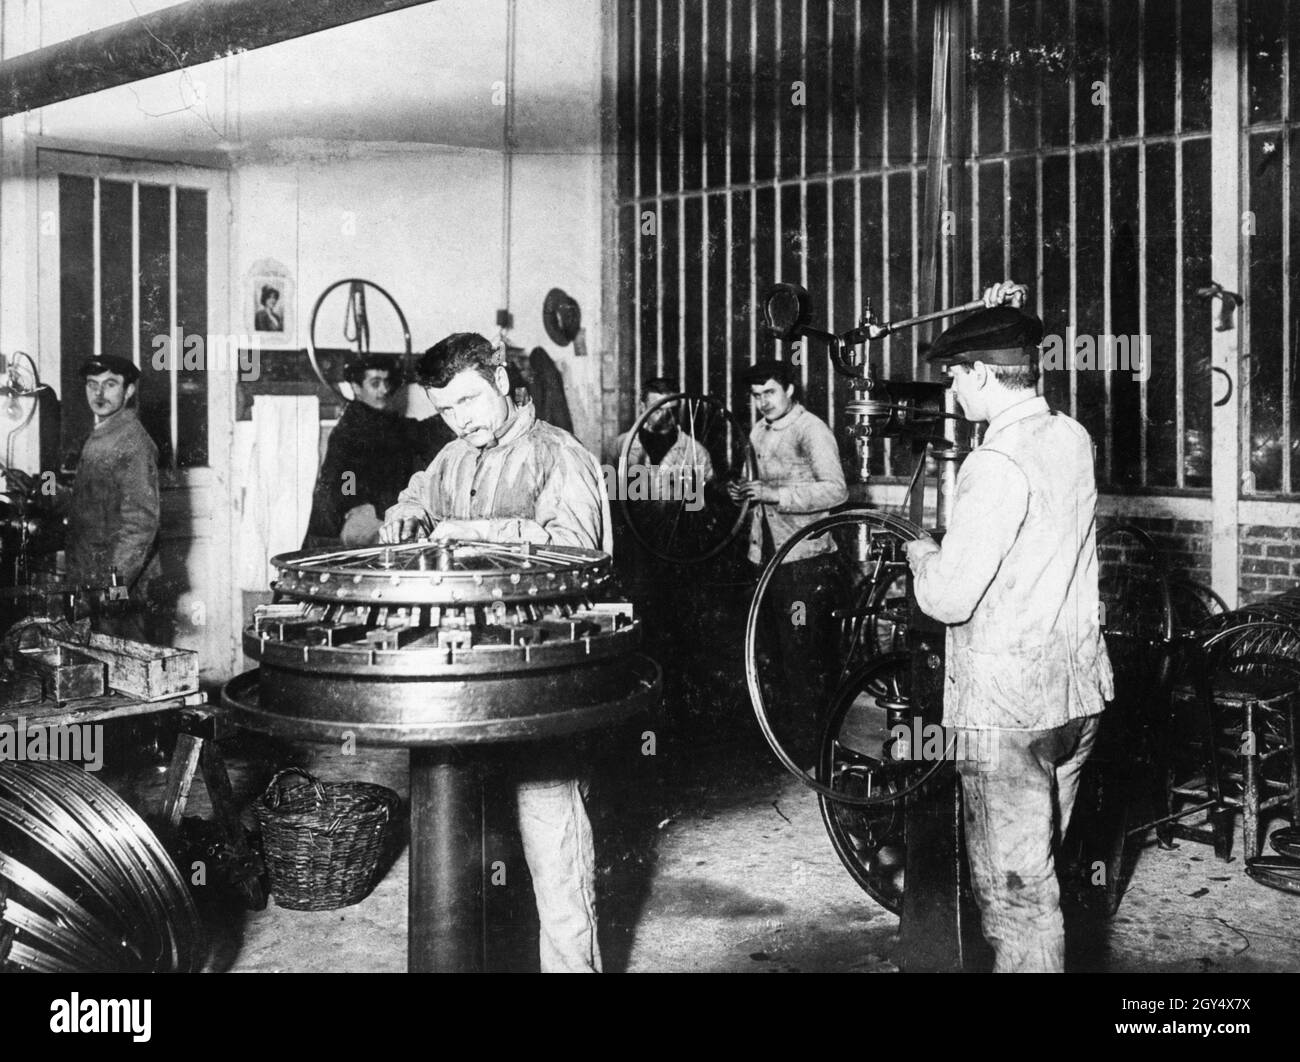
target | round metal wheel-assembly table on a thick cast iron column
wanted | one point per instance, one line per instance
(452, 651)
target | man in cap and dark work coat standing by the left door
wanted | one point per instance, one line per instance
(114, 513)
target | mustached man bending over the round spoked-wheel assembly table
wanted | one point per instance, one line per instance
(510, 478)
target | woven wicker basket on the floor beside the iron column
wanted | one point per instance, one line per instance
(323, 840)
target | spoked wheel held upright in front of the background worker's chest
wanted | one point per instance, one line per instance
(669, 528)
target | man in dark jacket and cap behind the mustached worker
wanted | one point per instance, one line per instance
(370, 457)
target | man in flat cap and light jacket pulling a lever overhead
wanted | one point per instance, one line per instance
(1016, 580)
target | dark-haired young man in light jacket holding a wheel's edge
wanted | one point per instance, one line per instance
(800, 479)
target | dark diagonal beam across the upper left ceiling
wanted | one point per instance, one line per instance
(170, 40)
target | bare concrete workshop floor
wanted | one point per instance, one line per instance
(713, 860)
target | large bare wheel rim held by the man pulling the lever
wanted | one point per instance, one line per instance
(886, 532)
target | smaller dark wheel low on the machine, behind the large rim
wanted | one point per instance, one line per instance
(857, 758)
